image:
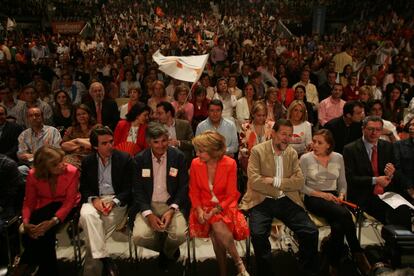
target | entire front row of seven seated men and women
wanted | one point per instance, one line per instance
(154, 186)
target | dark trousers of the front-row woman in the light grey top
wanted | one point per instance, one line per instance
(341, 223)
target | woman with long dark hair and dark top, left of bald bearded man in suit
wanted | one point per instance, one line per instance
(62, 111)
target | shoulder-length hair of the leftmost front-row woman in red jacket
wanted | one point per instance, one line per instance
(44, 159)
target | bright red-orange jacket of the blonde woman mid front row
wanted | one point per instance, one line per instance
(224, 186)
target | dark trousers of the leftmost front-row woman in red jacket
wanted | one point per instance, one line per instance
(41, 251)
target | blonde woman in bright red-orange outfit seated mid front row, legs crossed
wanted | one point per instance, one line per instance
(213, 194)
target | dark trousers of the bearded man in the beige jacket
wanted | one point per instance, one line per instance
(294, 217)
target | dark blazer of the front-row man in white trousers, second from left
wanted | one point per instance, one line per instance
(124, 176)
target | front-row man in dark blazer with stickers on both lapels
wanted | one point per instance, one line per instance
(160, 197)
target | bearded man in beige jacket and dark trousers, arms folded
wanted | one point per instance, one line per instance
(275, 180)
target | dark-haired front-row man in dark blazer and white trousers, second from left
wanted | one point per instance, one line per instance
(105, 185)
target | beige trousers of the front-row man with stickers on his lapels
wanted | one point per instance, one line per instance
(167, 241)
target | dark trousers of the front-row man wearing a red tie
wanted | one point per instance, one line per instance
(380, 210)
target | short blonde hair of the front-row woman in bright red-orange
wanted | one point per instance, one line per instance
(211, 142)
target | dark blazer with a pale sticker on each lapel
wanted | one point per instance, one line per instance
(177, 186)
